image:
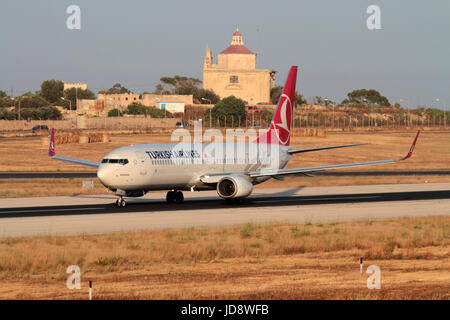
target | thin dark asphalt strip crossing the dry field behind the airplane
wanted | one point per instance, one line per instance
(46, 175)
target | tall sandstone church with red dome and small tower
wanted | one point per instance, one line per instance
(236, 74)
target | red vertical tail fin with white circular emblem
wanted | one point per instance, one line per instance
(280, 127)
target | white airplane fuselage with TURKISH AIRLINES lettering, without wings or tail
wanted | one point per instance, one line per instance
(144, 167)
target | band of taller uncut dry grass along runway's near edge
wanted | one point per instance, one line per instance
(397, 239)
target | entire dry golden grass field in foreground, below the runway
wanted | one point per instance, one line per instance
(269, 261)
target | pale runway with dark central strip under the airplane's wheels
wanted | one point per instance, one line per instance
(97, 214)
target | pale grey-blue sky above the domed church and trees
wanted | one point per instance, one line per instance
(137, 42)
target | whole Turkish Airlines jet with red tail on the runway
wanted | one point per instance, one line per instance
(134, 170)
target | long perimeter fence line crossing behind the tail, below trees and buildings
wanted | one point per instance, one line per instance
(303, 119)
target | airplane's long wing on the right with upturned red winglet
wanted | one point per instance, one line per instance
(305, 170)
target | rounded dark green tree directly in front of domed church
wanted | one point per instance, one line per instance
(227, 111)
